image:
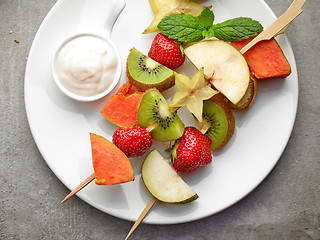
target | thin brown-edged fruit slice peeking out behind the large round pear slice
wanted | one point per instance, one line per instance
(249, 96)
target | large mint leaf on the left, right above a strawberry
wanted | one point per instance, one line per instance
(182, 27)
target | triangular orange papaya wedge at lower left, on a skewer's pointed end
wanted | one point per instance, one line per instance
(111, 166)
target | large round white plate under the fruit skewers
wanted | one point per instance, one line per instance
(61, 126)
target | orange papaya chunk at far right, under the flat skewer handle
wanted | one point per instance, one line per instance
(265, 59)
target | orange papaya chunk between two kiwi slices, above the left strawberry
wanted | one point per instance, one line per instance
(122, 108)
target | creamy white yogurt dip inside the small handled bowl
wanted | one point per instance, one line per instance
(86, 65)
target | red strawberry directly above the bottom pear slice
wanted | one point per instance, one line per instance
(191, 151)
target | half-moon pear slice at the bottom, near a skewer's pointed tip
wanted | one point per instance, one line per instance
(163, 182)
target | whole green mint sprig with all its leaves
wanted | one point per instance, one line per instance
(187, 28)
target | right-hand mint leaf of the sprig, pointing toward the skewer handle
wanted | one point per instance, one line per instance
(236, 29)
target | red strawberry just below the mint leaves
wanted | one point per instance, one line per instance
(165, 51)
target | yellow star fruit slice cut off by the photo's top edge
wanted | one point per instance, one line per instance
(163, 8)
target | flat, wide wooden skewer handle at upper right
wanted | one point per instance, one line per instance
(275, 27)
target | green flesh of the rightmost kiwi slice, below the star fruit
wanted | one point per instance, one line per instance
(215, 117)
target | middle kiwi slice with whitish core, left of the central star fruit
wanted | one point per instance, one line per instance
(154, 113)
